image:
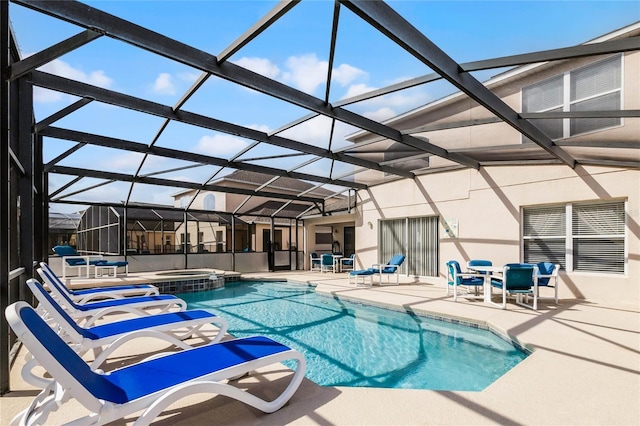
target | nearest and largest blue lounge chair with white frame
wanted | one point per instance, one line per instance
(149, 386)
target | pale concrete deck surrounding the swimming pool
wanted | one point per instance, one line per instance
(584, 370)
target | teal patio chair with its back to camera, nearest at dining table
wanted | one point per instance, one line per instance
(519, 279)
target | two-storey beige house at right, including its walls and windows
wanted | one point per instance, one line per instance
(584, 218)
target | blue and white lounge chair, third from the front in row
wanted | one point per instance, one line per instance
(90, 312)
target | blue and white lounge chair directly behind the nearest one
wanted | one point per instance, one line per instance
(171, 327)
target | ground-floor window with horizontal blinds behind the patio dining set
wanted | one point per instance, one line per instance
(587, 237)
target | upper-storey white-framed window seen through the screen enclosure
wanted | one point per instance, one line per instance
(595, 87)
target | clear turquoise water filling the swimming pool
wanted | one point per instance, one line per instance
(348, 344)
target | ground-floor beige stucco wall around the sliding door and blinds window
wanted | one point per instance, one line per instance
(487, 205)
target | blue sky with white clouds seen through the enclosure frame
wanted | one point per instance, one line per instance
(294, 51)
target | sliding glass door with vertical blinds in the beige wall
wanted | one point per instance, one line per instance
(417, 238)
